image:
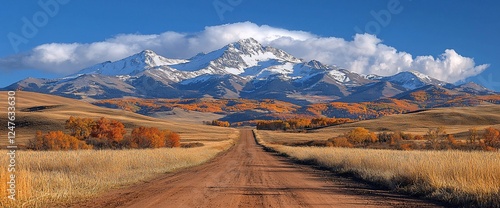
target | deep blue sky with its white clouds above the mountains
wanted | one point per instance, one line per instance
(418, 29)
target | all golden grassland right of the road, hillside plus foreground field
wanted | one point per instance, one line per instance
(455, 177)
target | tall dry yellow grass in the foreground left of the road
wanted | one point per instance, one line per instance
(48, 179)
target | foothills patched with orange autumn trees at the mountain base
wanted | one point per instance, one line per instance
(244, 110)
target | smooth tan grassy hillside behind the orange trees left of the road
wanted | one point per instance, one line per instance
(35, 111)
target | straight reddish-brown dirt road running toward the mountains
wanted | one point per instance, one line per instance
(247, 176)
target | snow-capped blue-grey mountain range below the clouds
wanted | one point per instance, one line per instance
(241, 69)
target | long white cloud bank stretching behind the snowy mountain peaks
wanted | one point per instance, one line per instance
(363, 54)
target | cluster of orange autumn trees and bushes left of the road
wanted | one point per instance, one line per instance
(103, 133)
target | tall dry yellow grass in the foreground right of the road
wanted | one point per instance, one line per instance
(457, 177)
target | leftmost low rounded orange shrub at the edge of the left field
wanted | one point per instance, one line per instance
(56, 140)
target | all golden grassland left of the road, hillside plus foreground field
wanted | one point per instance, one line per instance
(47, 179)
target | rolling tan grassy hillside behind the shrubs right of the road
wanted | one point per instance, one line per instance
(457, 121)
